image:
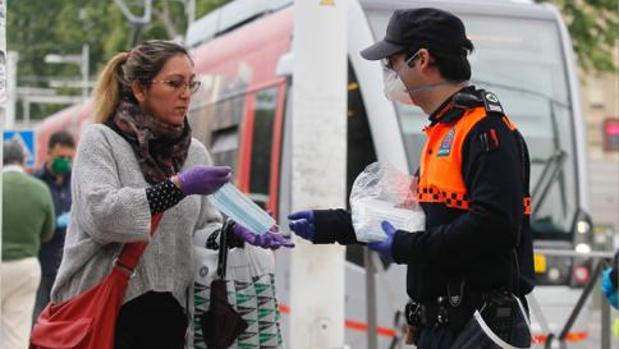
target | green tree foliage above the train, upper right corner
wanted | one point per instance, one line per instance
(594, 27)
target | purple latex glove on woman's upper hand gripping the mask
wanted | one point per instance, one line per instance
(203, 180)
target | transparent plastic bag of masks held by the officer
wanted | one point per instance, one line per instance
(383, 193)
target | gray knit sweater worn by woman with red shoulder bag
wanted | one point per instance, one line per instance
(110, 208)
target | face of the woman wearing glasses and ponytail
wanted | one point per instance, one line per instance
(169, 94)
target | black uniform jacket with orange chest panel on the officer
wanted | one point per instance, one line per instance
(473, 187)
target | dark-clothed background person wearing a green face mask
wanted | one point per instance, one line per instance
(56, 173)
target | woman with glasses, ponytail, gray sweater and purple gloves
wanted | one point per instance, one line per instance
(138, 159)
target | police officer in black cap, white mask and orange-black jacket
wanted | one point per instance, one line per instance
(469, 270)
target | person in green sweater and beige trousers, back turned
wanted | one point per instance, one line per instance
(27, 220)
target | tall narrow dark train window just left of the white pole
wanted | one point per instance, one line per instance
(262, 142)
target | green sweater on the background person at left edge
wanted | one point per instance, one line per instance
(27, 215)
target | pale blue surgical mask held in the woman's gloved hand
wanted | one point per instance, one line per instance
(229, 200)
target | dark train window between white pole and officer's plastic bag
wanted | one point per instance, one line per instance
(360, 150)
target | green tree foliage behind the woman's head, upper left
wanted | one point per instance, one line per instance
(38, 28)
